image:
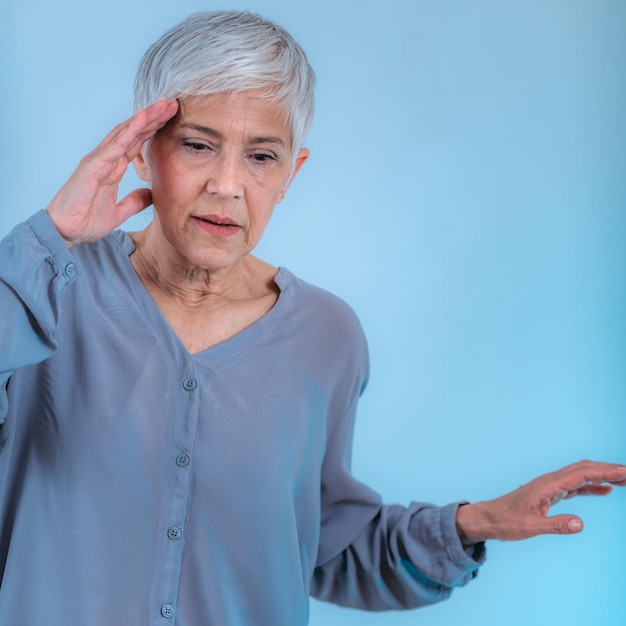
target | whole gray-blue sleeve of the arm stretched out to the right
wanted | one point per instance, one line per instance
(397, 557)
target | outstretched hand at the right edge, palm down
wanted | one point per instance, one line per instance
(523, 513)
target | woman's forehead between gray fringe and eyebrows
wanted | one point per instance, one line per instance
(244, 114)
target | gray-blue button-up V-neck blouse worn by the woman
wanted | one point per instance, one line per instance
(145, 485)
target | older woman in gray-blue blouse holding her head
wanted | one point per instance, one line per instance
(178, 414)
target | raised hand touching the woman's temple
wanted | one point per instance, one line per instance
(86, 208)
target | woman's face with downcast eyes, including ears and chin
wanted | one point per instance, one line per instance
(218, 169)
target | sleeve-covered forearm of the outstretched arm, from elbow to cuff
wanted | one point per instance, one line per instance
(404, 558)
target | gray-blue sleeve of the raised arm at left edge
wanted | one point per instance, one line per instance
(35, 269)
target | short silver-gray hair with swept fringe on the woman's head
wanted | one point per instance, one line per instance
(230, 51)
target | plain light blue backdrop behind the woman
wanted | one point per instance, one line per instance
(466, 194)
